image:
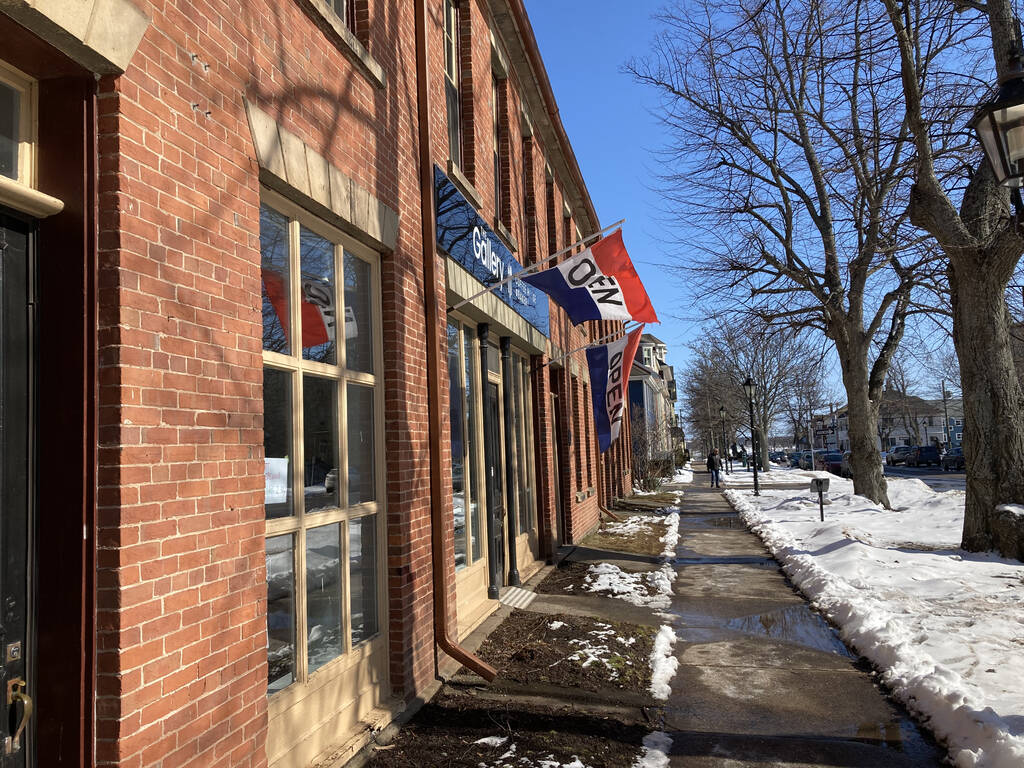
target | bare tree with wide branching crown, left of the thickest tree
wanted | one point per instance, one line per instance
(801, 170)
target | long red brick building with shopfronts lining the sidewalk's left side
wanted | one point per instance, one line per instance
(230, 539)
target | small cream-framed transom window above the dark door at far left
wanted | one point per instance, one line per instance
(18, 125)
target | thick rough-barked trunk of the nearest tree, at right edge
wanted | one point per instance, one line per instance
(994, 408)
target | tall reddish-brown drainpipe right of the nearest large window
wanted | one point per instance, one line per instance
(439, 551)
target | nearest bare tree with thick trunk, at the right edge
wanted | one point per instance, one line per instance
(983, 243)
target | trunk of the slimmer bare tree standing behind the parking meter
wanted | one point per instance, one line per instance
(866, 461)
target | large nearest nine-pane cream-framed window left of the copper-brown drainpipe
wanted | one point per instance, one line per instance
(322, 428)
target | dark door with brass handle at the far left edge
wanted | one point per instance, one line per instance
(17, 465)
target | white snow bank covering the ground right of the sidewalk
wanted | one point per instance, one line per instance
(945, 627)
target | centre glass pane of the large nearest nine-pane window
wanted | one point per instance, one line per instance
(320, 437)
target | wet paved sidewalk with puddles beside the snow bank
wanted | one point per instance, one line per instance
(763, 680)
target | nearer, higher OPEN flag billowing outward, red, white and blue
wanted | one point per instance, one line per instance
(599, 284)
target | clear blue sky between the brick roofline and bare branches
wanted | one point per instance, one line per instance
(610, 122)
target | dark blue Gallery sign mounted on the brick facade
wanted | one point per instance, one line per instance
(465, 237)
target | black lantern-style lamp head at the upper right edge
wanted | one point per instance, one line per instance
(1000, 126)
